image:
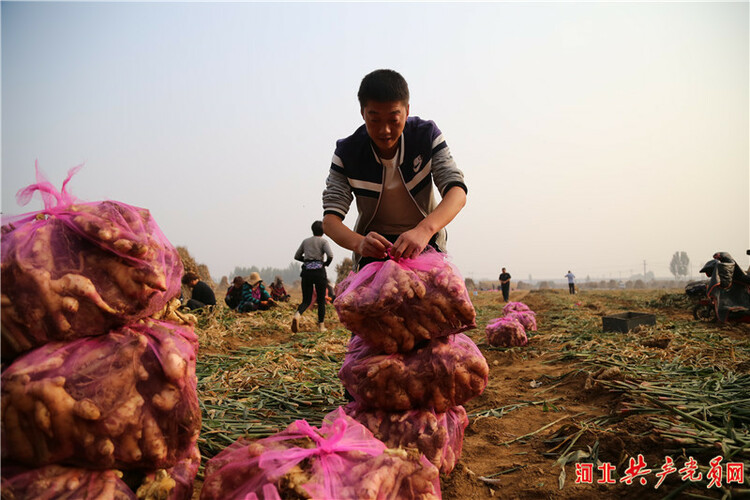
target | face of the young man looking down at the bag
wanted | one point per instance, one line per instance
(385, 122)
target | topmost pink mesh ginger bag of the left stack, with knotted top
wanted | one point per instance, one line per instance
(76, 269)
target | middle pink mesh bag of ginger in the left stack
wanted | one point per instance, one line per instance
(127, 399)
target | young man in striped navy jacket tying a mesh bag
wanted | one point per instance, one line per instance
(390, 164)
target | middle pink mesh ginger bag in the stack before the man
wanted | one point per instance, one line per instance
(444, 373)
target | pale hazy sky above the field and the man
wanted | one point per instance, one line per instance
(593, 136)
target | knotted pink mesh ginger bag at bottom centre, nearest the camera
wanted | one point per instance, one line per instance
(340, 460)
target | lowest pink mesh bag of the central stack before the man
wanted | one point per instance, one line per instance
(439, 436)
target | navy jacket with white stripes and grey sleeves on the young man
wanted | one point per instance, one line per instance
(424, 158)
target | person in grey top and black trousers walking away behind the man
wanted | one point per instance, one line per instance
(315, 254)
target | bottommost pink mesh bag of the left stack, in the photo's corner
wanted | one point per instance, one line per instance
(56, 482)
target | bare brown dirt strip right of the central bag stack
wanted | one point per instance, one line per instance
(514, 375)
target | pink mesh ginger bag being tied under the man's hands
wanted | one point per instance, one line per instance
(395, 304)
